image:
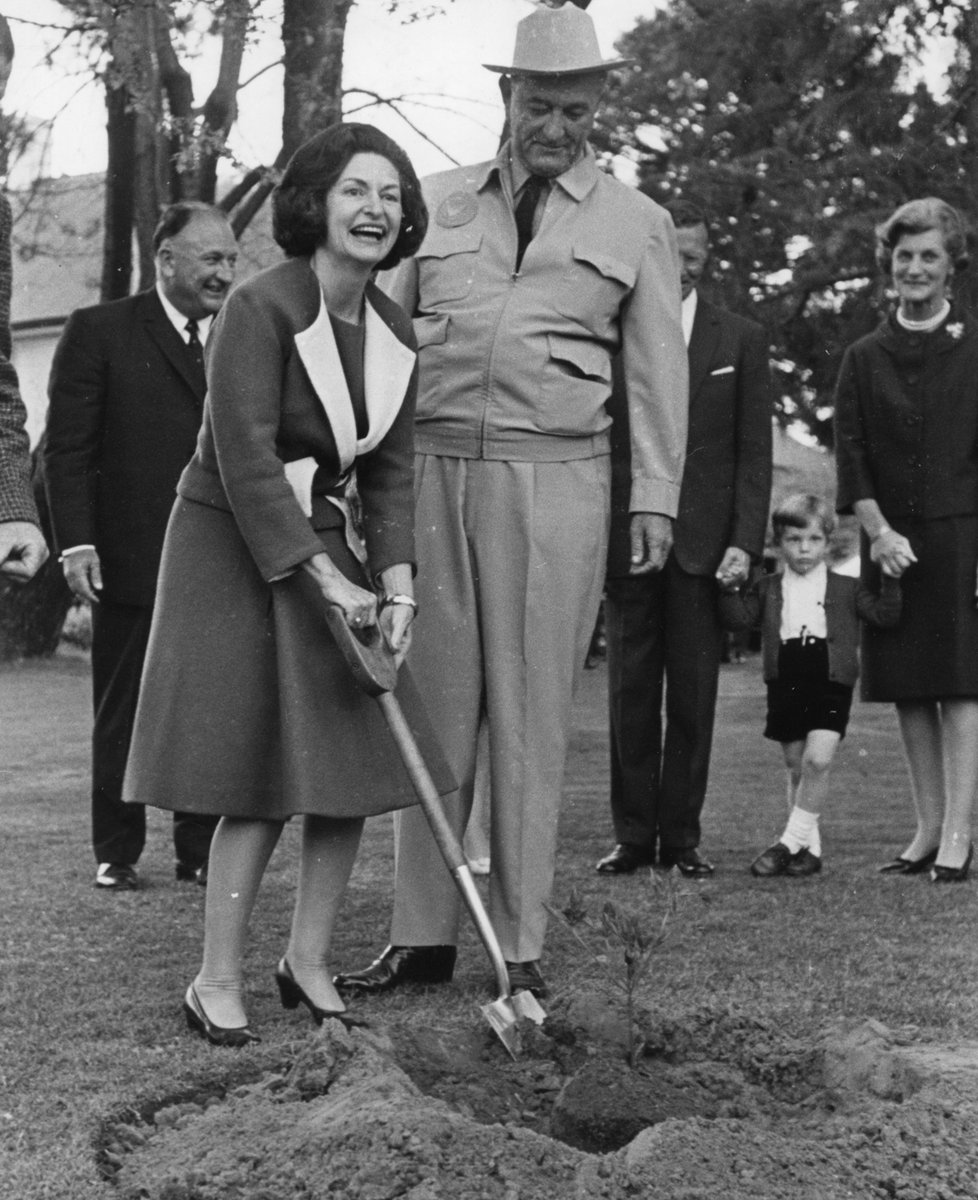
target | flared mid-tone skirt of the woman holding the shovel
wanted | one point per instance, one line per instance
(247, 707)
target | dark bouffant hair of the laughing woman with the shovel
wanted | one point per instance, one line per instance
(299, 202)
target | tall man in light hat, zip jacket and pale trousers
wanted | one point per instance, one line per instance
(537, 268)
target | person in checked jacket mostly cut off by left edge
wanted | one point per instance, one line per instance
(22, 544)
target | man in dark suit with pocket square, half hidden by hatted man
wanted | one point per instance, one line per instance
(663, 631)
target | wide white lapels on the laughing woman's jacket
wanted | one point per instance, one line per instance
(388, 365)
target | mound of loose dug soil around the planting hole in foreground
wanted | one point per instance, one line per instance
(719, 1106)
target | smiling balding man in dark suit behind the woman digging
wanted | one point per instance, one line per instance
(127, 399)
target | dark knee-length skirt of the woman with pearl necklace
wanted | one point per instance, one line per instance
(933, 653)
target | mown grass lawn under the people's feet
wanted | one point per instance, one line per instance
(92, 983)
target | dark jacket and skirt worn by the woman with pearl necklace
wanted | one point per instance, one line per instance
(908, 436)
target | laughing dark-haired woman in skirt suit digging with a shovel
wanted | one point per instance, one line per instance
(298, 500)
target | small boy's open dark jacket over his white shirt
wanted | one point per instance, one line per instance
(848, 602)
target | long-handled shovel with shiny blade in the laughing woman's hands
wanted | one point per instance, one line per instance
(373, 664)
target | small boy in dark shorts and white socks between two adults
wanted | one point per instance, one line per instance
(809, 623)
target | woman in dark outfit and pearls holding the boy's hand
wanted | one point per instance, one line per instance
(907, 423)
